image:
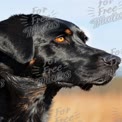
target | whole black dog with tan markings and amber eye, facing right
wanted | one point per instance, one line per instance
(40, 55)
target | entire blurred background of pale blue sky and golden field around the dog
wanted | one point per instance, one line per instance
(102, 22)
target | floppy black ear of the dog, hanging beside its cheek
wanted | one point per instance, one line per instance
(14, 42)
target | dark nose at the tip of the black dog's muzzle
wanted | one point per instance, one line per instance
(112, 60)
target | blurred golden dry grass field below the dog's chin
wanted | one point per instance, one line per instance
(101, 104)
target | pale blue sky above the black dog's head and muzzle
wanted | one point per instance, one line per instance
(100, 19)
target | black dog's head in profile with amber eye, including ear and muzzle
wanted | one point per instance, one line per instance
(56, 52)
